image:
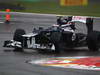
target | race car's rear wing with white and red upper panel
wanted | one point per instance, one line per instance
(87, 20)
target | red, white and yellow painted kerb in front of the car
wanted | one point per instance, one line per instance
(87, 63)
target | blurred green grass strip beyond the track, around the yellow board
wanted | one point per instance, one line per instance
(55, 8)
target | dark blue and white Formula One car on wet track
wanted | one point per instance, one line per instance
(57, 37)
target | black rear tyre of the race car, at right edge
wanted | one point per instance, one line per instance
(93, 40)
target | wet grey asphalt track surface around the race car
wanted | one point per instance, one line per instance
(15, 63)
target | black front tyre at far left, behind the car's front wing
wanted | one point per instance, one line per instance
(18, 37)
